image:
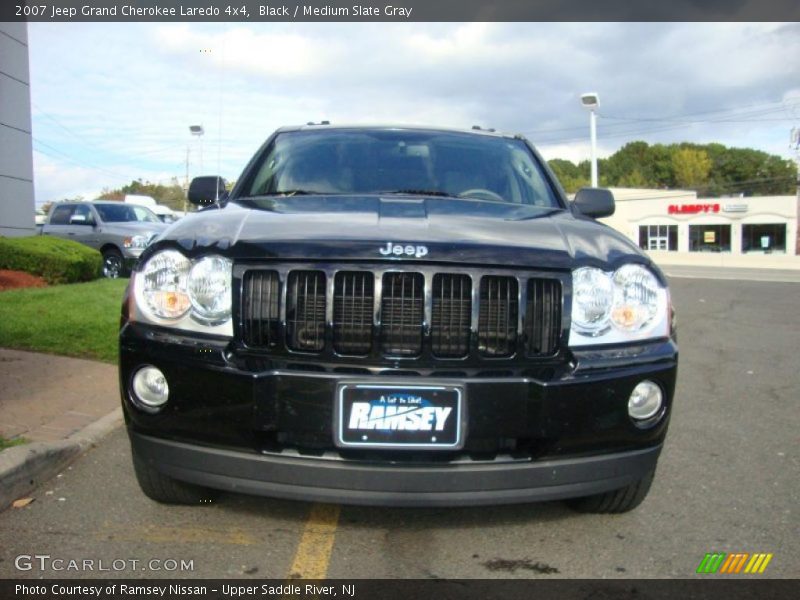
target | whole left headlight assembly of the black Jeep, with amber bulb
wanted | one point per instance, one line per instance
(173, 291)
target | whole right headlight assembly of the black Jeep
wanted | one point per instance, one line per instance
(627, 305)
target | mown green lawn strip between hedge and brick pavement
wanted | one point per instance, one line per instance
(80, 319)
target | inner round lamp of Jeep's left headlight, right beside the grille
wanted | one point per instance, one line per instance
(210, 289)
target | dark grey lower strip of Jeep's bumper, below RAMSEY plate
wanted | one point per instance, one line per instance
(339, 481)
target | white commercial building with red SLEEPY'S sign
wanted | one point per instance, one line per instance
(678, 221)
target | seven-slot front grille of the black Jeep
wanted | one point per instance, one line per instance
(400, 313)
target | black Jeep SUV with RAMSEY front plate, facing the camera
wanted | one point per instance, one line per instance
(397, 316)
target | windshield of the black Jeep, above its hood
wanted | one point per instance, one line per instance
(386, 161)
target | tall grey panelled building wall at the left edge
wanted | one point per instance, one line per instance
(16, 156)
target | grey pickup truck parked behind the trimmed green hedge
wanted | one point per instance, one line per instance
(119, 231)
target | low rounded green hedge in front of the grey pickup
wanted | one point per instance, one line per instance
(55, 260)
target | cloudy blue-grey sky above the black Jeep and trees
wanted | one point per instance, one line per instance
(113, 102)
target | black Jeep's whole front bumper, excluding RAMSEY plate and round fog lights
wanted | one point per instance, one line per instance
(268, 429)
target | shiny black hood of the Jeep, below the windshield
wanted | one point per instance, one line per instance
(358, 227)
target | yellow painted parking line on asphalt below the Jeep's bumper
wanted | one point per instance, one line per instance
(316, 544)
